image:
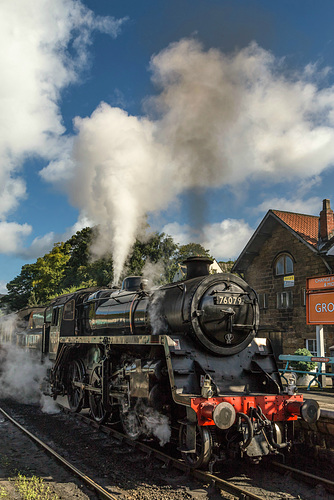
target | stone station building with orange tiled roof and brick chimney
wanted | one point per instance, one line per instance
(286, 249)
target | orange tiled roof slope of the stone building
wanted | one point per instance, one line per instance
(307, 226)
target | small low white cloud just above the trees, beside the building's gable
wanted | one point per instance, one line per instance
(224, 239)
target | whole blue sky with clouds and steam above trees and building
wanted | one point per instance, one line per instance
(201, 114)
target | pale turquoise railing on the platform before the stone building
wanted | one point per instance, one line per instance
(316, 375)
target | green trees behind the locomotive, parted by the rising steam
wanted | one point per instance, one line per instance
(69, 267)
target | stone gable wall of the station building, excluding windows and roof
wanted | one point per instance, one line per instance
(286, 327)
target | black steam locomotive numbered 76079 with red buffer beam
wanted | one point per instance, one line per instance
(185, 351)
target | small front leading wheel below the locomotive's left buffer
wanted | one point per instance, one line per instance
(202, 457)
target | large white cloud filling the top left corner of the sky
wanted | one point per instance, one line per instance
(44, 51)
